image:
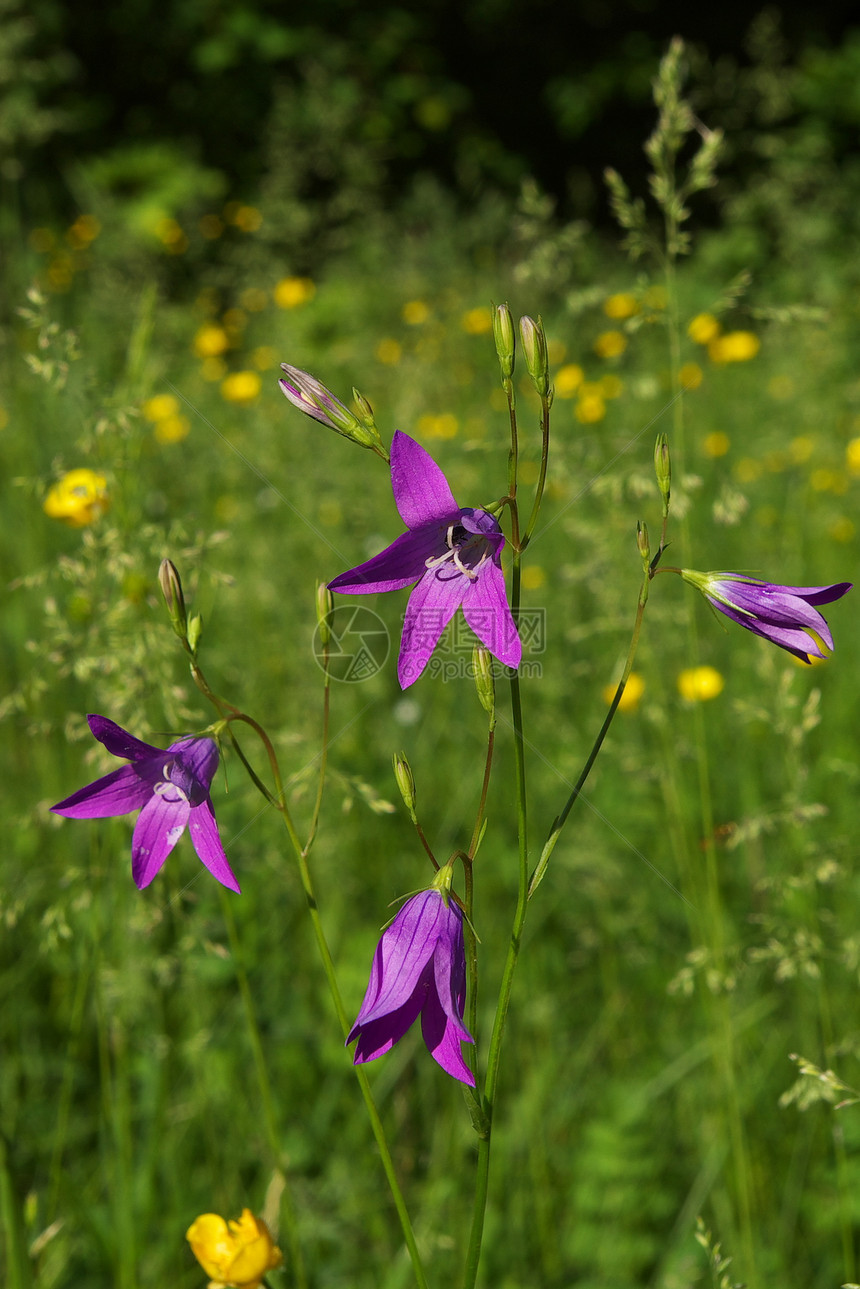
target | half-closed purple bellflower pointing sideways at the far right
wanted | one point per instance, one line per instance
(785, 615)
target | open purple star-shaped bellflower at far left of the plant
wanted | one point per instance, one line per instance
(171, 788)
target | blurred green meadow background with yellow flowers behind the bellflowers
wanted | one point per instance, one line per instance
(188, 204)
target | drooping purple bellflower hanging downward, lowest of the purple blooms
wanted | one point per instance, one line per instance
(420, 967)
